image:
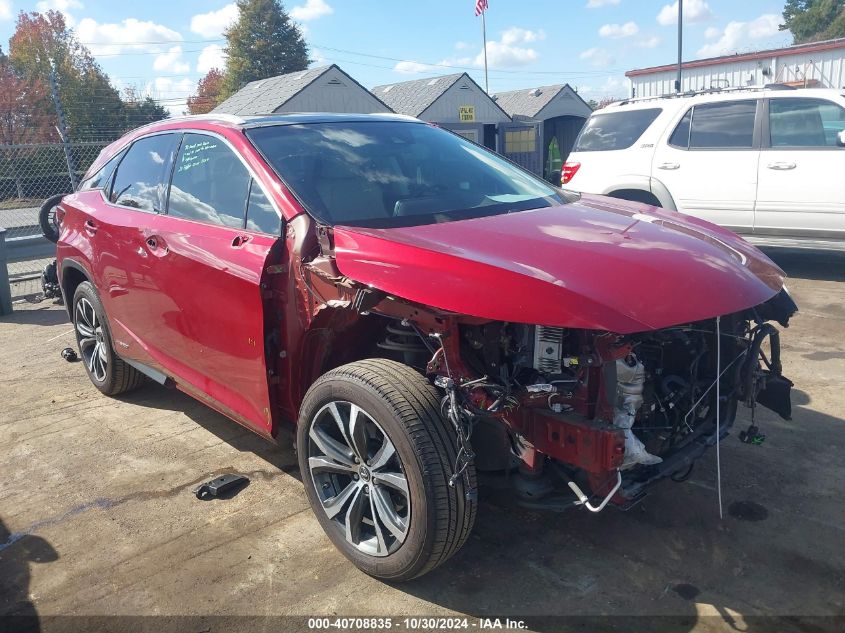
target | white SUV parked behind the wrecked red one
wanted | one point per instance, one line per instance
(767, 163)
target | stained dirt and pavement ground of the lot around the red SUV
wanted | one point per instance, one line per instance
(97, 515)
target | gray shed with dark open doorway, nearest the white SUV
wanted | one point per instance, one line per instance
(546, 121)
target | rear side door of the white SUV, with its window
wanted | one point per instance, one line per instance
(708, 162)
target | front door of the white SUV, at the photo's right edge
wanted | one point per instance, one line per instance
(801, 191)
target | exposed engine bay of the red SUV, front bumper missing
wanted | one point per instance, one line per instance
(603, 413)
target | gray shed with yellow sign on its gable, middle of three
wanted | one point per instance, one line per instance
(455, 102)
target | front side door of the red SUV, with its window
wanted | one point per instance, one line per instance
(211, 250)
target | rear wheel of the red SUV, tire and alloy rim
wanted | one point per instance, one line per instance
(113, 376)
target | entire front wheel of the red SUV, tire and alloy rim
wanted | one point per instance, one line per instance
(376, 457)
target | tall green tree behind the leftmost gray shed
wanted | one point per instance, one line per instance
(264, 42)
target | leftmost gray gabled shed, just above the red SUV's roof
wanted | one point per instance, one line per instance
(325, 89)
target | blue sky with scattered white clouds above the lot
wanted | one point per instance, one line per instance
(163, 47)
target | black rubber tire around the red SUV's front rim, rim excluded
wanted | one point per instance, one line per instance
(407, 408)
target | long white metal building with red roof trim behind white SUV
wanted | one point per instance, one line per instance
(816, 65)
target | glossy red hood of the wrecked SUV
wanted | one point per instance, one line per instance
(599, 263)
